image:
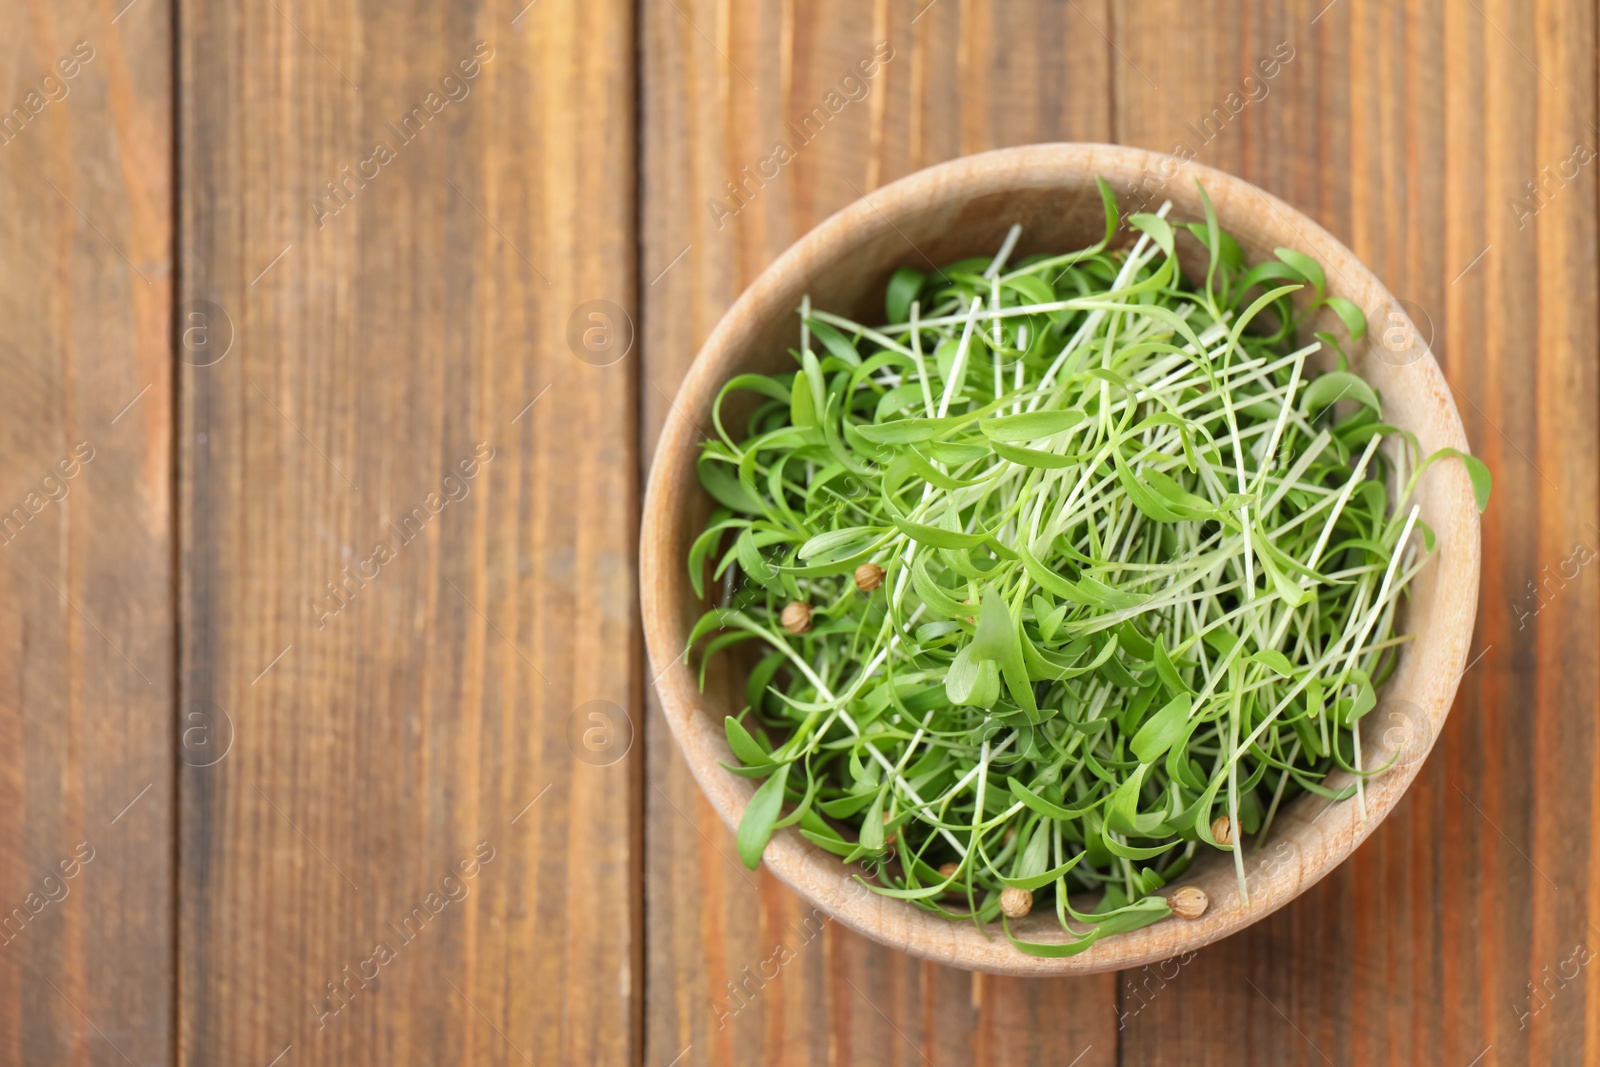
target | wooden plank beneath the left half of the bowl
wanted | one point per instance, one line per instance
(738, 970)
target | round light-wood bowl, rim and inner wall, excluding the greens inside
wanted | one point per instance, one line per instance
(964, 209)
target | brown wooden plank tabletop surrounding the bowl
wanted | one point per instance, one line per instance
(326, 730)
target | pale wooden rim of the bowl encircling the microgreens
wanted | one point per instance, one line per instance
(1428, 677)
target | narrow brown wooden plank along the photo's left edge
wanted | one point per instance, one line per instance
(86, 537)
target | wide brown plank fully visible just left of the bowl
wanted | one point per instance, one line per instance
(409, 498)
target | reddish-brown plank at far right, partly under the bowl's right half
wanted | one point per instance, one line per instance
(1410, 132)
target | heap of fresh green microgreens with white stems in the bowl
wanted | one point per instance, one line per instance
(1070, 570)
